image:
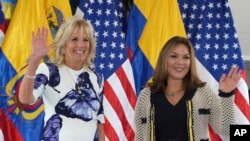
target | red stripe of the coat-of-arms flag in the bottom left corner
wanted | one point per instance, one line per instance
(9, 130)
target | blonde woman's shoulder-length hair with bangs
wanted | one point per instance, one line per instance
(63, 35)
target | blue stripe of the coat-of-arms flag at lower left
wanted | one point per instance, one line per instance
(23, 125)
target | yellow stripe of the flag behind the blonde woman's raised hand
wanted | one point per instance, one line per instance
(27, 17)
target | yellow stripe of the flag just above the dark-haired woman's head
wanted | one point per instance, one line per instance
(163, 22)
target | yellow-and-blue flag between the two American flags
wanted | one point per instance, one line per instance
(151, 23)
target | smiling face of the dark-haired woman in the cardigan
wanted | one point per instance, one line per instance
(178, 62)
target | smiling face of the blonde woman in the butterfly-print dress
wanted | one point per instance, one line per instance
(77, 49)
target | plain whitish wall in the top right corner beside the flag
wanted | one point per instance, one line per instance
(241, 14)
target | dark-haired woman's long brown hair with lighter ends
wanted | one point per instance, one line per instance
(159, 79)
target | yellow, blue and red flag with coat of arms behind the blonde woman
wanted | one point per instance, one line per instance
(24, 122)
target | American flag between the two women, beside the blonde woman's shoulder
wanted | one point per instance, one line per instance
(112, 61)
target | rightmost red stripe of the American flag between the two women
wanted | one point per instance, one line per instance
(126, 86)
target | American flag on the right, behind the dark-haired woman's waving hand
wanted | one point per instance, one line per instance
(210, 27)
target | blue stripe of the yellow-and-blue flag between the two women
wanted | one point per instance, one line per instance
(141, 67)
